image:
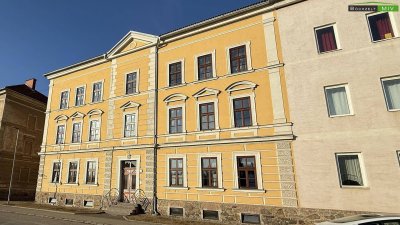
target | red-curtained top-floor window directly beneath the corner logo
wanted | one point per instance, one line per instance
(380, 26)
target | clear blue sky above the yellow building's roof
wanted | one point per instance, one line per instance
(39, 36)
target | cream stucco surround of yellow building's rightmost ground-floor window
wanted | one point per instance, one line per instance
(259, 178)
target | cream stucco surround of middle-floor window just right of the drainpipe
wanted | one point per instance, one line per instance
(176, 101)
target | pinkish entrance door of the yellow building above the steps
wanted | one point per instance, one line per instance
(128, 184)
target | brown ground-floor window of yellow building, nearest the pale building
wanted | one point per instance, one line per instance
(247, 174)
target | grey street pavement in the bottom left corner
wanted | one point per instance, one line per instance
(14, 215)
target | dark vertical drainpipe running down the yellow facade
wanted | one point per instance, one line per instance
(155, 210)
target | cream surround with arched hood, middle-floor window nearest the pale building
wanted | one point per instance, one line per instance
(233, 90)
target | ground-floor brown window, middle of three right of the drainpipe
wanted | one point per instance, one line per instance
(209, 172)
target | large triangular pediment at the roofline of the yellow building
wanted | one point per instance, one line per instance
(131, 41)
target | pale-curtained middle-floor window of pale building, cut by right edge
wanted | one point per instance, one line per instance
(391, 88)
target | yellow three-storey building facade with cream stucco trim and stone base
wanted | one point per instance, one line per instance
(197, 115)
